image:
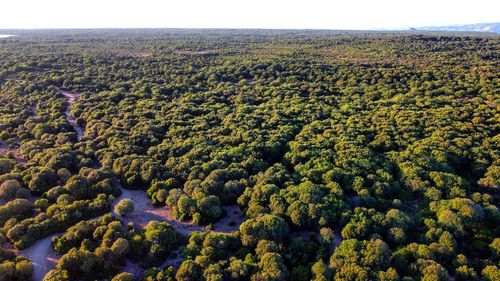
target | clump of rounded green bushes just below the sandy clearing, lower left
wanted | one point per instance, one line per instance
(98, 249)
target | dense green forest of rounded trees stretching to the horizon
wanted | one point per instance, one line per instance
(259, 155)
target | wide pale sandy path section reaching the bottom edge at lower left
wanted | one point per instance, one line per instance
(43, 257)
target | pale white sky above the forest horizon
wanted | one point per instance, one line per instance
(293, 14)
